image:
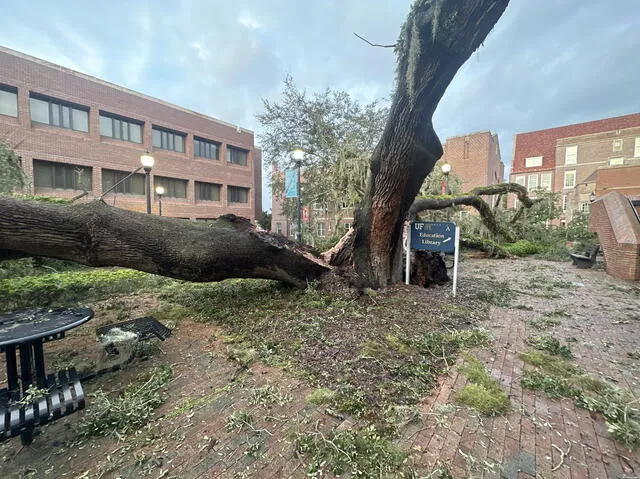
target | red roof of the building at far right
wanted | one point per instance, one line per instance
(543, 142)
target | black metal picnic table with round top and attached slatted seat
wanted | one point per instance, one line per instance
(26, 331)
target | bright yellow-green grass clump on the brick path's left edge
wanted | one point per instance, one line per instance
(484, 393)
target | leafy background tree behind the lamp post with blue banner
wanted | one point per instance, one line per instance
(337, 134)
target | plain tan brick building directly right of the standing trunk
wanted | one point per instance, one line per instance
(475, 159)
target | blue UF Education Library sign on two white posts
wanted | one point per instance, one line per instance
(438, 236)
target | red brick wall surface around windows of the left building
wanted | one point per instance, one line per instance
(37, 141)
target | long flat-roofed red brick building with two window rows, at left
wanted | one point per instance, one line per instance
(77, 133)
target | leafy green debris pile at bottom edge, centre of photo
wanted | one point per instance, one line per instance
(363, 453)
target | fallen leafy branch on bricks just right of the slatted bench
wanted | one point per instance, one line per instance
(119, 415)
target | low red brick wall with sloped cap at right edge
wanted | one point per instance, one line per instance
(618, 228)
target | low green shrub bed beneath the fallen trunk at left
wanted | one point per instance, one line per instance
(73, 287)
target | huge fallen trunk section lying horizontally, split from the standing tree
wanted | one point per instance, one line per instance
(96, 234)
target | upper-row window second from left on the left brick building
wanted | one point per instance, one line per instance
(58, 113)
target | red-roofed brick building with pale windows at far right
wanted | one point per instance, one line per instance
(568, 159)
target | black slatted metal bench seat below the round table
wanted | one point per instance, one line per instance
(64, 396)
